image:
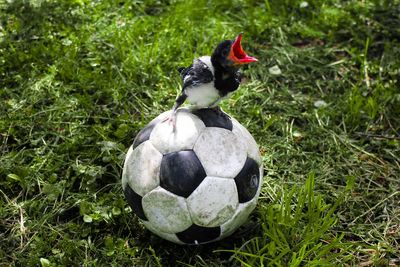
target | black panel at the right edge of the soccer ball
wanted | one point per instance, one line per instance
(247, 180)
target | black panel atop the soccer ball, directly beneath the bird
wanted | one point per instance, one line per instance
(214, 117)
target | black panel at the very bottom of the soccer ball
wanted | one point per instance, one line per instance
(198, 234)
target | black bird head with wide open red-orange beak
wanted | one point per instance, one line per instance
(230, 53)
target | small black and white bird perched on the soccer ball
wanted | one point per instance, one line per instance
(210, 79)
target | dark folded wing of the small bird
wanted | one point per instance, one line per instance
(196, 74)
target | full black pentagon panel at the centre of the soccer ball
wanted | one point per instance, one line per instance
(181, 172)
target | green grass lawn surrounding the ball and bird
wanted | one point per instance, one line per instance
(80, 78)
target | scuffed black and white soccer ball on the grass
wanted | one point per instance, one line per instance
(195, 184)
